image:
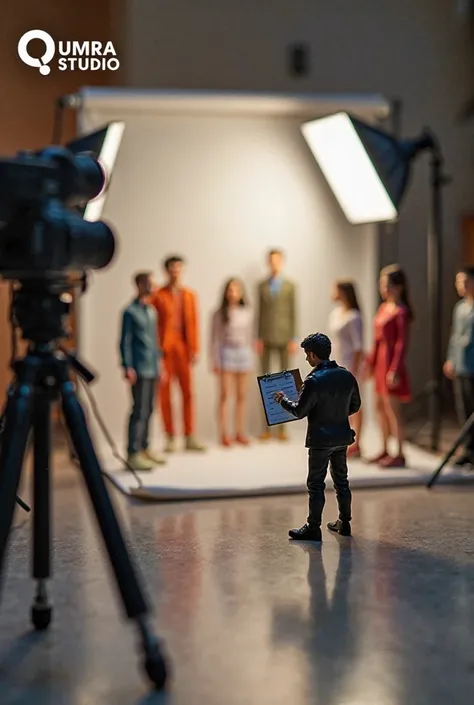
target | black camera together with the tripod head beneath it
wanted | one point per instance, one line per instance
(44, 239)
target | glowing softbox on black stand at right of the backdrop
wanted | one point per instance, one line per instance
(368, 171)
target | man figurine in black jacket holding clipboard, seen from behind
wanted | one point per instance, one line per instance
(329, 395)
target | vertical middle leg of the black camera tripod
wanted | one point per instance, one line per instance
(41, 610)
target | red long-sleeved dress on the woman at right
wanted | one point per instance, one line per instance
(387, 359)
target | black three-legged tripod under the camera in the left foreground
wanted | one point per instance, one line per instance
(41, 376)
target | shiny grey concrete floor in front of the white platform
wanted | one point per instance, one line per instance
(248, 618)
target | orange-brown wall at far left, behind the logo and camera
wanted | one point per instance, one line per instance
(28, 98)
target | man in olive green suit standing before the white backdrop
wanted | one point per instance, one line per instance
(276, 322)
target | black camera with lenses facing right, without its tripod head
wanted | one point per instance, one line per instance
(42, 236)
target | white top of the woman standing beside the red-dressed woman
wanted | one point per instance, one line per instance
(346, 335)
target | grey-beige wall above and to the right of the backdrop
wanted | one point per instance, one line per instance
(418, 51)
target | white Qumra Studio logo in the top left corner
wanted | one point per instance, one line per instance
(68, 55)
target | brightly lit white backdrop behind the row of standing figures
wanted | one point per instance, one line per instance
(220, 189)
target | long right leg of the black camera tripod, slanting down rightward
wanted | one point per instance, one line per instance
(125, 574)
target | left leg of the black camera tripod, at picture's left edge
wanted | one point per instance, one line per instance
(14, 442)
